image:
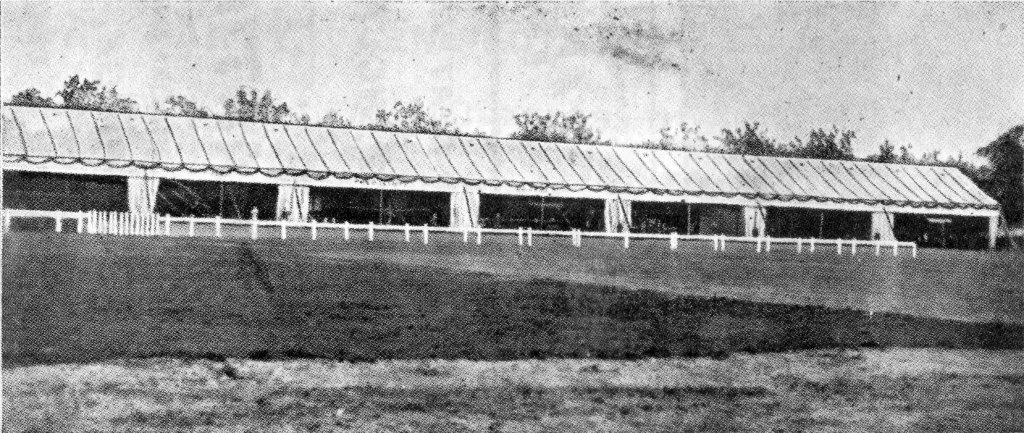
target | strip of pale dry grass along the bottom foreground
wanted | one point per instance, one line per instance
(872, 391)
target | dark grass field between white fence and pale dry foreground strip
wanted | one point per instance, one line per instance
(88, 298)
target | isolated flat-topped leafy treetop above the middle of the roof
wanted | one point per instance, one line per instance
(573, 128)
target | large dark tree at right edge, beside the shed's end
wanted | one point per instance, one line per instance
(1006, 155)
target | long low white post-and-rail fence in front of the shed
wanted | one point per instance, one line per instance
(123, 224)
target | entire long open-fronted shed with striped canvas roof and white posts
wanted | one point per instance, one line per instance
(182, 165)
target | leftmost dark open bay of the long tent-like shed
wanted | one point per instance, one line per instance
(52, 192)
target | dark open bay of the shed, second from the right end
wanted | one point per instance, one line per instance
(799, 223)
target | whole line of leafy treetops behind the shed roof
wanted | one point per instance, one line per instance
(1003, 178)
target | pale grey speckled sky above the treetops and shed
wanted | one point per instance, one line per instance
(947, 76)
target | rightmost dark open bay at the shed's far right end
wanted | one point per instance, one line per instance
(943, 232)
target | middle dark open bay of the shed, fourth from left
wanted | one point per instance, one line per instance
(542, 213)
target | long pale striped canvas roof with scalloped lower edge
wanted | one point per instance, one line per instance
(166, 143)
